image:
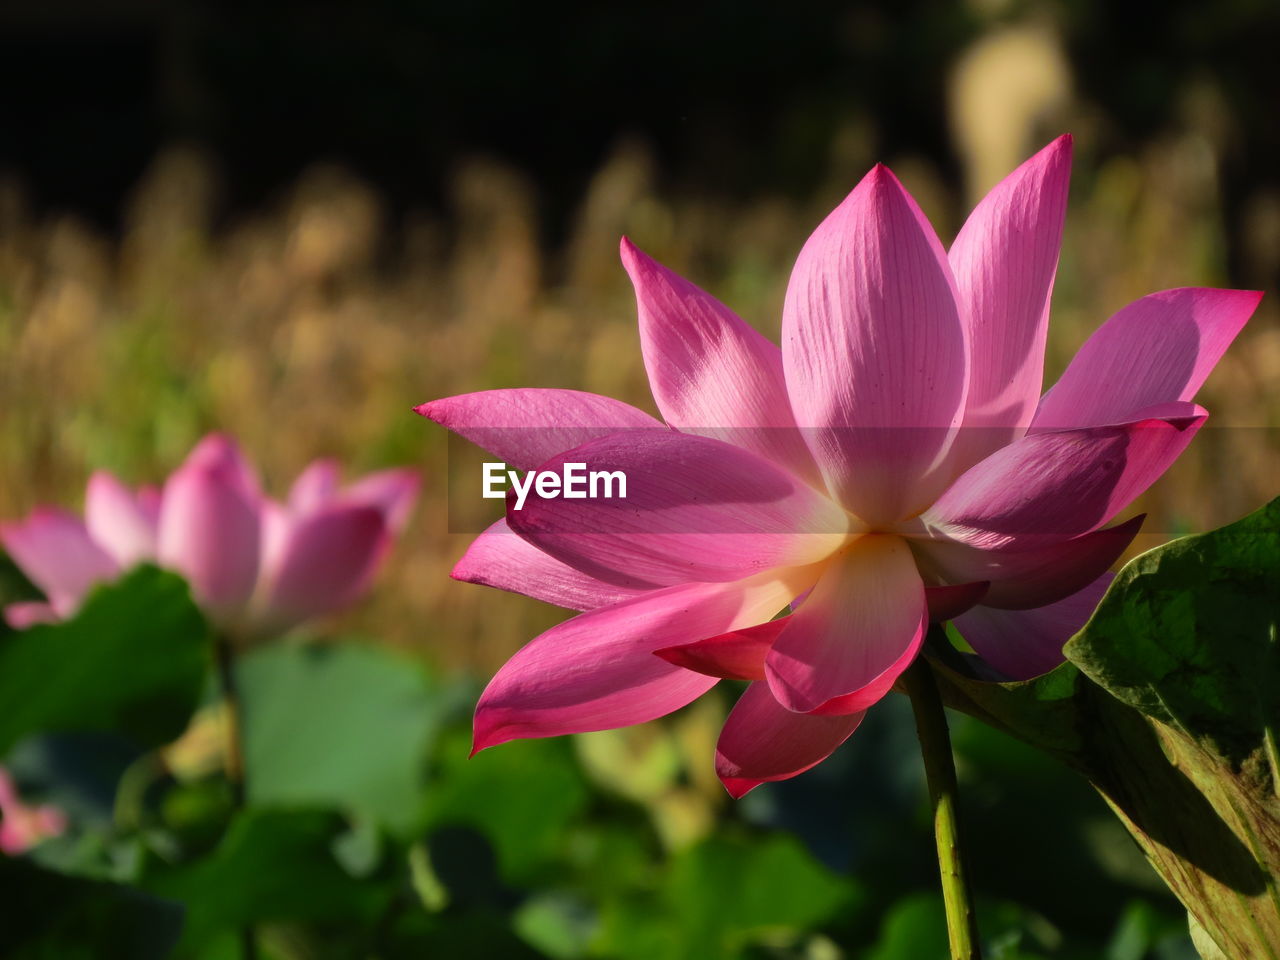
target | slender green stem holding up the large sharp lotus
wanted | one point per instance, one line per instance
(940, 772)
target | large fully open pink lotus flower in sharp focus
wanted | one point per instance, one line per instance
(893, 464)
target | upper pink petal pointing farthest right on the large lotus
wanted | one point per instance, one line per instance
(1158, 350)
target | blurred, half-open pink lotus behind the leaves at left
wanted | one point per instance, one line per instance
(254, 565)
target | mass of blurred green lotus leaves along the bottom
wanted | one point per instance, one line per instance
(371, 834)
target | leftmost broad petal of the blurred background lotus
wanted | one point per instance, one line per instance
(56, 552)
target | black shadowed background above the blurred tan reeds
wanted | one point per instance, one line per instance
(742, 97)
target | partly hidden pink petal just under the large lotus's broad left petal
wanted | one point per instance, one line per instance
(502, 560)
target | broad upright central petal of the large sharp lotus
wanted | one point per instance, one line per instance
(875, 351)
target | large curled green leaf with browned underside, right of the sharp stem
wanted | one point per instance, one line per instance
(1165, 706)
